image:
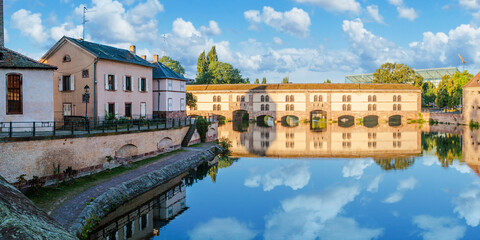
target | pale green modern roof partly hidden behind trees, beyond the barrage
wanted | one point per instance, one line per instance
(430, 75)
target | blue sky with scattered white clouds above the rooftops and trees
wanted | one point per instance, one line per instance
(307, 40)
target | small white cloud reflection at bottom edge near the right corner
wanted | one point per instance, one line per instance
(439, 228)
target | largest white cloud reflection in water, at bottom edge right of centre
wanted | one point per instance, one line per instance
(316, 216)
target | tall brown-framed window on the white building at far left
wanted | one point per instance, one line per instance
(14, 94)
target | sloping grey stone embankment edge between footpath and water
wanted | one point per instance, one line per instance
(126, 191)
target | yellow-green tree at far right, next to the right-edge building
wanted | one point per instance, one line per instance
(449, 91)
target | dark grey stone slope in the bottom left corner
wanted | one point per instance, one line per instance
(21, 219)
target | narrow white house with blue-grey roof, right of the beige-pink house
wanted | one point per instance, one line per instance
(169, 98)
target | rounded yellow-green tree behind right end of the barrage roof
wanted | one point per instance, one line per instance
(397, 73)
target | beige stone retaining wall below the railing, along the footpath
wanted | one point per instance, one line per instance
(87, 154)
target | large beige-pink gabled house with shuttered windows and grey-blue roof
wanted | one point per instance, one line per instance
(119, 81)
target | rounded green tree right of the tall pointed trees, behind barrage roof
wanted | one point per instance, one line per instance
(224, 73)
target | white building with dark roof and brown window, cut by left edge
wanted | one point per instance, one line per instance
(26, 89)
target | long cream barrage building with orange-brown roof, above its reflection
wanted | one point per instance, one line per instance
(306, 101)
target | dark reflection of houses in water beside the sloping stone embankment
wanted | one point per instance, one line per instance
(139, 217)
